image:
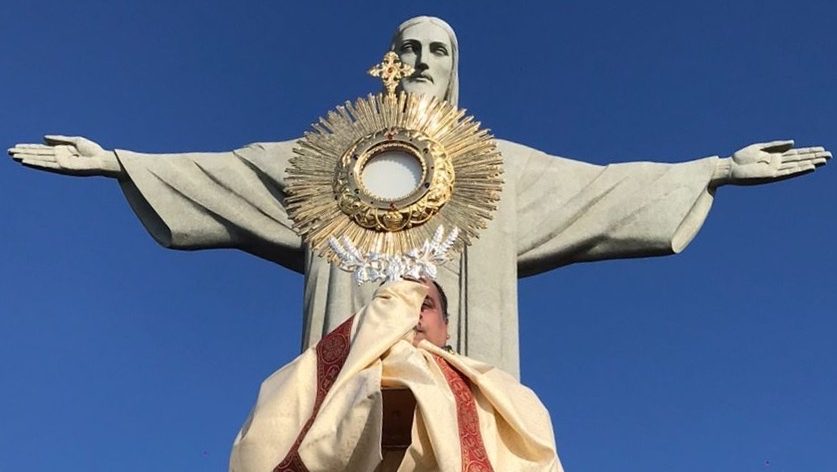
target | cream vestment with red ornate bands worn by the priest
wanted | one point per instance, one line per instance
(345, 434)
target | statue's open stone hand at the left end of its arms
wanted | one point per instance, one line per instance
(68, 155)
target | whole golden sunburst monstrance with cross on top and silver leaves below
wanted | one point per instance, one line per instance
(374, 184)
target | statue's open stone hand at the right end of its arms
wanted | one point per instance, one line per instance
(768, 162)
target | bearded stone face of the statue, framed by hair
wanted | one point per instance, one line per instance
(426, 47)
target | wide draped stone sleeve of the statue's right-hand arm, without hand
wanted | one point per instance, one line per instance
(569, 211)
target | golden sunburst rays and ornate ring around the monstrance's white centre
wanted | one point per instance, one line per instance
(458, 184)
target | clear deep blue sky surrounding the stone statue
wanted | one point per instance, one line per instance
(116, 354)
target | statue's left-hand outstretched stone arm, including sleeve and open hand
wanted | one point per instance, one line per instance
(190, 200)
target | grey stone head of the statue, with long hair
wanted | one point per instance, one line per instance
(429, 45)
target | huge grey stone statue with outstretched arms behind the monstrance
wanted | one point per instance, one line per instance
(553, 211)
